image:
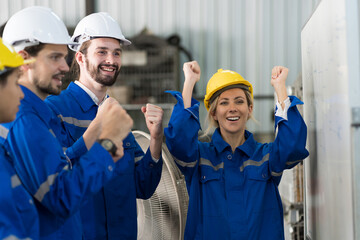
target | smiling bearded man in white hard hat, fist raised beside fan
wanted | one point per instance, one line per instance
(110, 214)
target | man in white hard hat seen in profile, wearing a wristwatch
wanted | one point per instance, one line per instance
(59, 185)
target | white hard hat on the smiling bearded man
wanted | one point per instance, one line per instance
(97, 25)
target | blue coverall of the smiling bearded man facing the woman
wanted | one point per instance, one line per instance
(111, 213)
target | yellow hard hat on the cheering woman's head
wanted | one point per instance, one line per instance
(223, 79)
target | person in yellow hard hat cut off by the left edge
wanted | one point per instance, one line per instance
(18, 216)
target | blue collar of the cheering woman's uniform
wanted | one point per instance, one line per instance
(247, 147)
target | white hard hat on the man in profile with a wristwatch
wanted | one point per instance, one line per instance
(34, 25)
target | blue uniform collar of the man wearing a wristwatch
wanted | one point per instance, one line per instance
(39, 106)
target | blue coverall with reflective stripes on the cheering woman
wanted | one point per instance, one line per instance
(234, 195)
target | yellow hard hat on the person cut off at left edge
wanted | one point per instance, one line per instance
(9, 58)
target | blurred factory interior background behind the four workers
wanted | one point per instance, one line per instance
(249, 37)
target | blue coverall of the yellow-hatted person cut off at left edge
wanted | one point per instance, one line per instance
(18, 216)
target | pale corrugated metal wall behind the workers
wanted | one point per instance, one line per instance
(247, 36)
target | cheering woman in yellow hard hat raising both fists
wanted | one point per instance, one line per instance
(233, 180)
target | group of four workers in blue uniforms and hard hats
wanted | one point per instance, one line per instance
(70, 167)
